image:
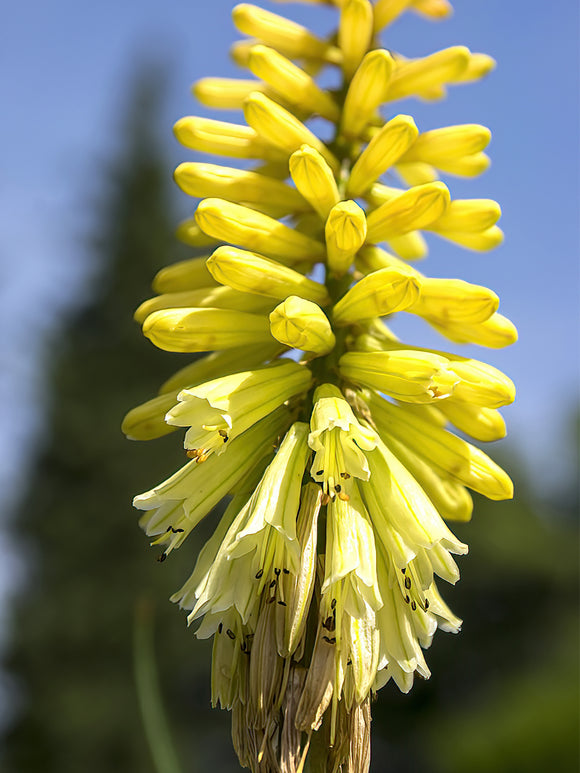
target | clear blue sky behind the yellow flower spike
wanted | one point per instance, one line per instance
(65, 68)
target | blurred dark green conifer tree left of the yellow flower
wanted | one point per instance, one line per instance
(70, 651)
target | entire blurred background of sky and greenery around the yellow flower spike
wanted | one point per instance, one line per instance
(87, 211)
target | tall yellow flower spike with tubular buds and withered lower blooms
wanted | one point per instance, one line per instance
(329, 443)
